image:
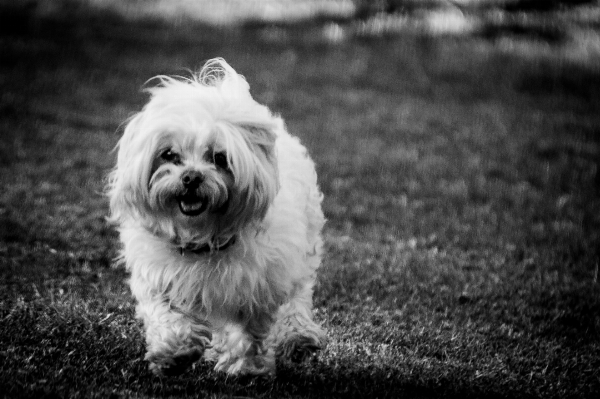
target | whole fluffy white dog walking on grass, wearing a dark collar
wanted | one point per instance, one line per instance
(220, 217)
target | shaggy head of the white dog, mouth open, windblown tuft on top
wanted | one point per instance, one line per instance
(198, 163)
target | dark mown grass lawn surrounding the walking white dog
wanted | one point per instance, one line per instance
(462, 197)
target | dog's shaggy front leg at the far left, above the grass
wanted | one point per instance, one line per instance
(175, 339)
